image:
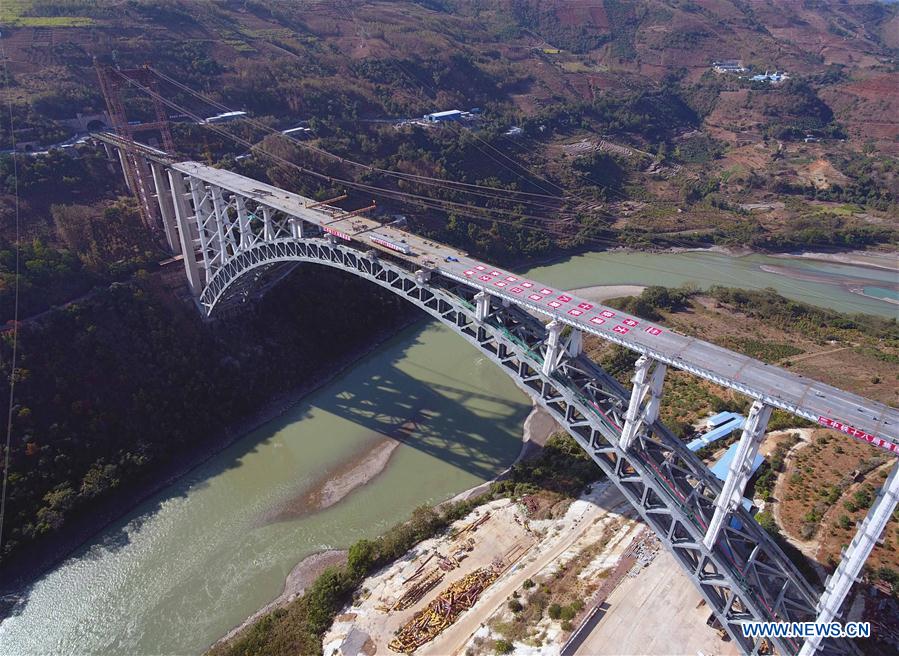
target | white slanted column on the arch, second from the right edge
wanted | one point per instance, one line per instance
(740, 470)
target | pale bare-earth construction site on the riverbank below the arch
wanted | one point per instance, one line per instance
(499, 578)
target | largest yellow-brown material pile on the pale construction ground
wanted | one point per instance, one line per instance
(428, 623)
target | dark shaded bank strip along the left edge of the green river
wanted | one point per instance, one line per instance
(42, 559)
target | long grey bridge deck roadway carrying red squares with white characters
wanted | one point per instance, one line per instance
(852, 414)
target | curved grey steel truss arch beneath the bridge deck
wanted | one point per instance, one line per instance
(743, 576)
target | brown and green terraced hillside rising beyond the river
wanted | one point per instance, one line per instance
(618, 103)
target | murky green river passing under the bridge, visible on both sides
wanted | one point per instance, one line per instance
(194, 561)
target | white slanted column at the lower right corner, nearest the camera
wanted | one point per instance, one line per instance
(839, 584)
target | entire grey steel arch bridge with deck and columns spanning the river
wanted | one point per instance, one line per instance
(238, 236)
